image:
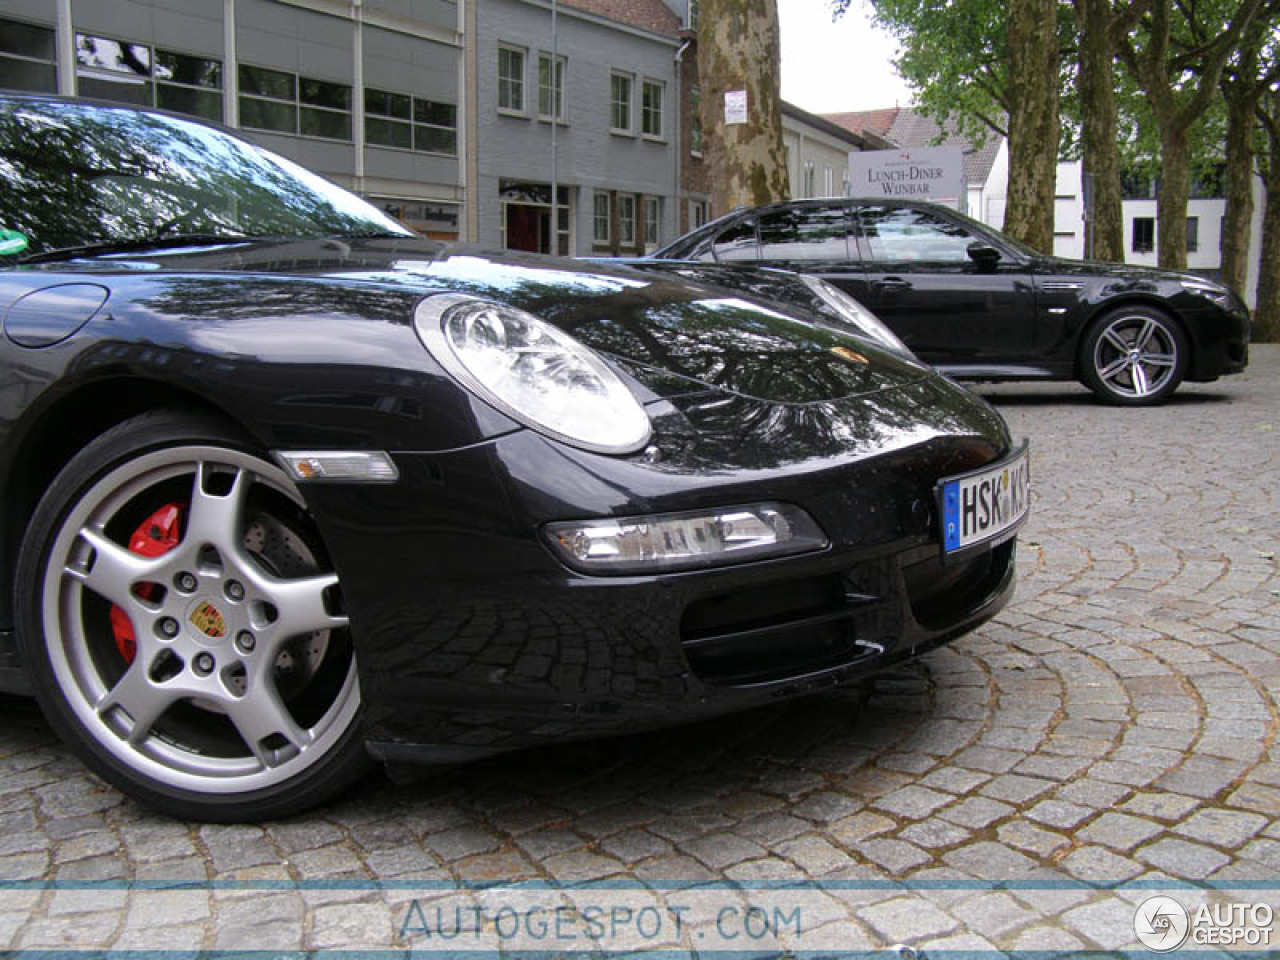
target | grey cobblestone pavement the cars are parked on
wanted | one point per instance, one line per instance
(1118, 721)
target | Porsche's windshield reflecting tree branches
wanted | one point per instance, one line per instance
(79, 175)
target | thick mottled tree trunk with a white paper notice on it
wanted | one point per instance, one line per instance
(739, 51)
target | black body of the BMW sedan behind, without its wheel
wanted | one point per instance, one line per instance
(1021, 316)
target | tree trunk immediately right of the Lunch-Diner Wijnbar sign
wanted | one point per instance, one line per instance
(1034, 122)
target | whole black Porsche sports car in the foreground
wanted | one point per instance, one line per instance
(286, 487)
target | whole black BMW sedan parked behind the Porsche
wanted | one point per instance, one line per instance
(981, 307)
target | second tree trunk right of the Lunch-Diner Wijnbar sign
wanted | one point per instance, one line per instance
(1104, 235)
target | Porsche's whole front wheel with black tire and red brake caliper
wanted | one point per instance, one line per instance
(230, 693)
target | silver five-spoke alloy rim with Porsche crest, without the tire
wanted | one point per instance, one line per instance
(213, 625)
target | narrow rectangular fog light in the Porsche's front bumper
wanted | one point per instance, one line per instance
(669, 542)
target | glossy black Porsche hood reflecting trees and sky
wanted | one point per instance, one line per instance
(676, 332)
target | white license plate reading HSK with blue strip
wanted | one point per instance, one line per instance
(986, 504)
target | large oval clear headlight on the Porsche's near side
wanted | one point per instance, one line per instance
(533, 372)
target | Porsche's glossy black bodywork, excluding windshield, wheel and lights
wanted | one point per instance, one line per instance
(254, 332)
